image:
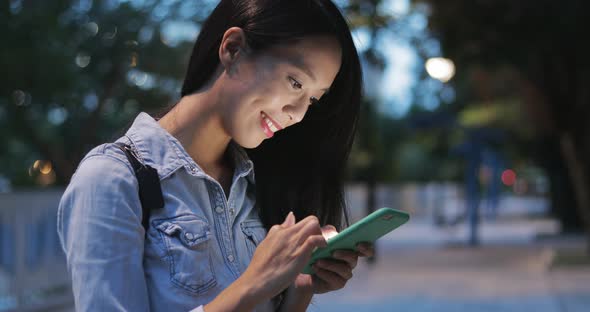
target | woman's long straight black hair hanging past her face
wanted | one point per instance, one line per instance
(301, 169)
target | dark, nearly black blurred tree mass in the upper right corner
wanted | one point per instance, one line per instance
(543, 43)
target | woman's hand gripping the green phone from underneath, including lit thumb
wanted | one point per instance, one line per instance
(333, 274)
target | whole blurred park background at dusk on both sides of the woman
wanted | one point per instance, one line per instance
(476, 120)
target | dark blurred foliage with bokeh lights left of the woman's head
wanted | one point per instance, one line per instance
(76, 72)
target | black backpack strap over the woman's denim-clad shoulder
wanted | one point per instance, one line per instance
(150, 191)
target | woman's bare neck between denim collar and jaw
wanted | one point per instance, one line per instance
(197, 126)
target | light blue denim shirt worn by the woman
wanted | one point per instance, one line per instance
(194, 248)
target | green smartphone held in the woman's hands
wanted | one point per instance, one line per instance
(368, 229)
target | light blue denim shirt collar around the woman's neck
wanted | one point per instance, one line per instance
(159, 149)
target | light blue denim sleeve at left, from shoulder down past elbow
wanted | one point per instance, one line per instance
(99, 225)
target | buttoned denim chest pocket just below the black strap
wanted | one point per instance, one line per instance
(186, 242)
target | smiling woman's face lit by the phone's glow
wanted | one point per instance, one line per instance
(270, 91)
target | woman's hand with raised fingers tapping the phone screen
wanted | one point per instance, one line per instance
(284, 252)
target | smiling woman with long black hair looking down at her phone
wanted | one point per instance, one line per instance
(227, 238)
